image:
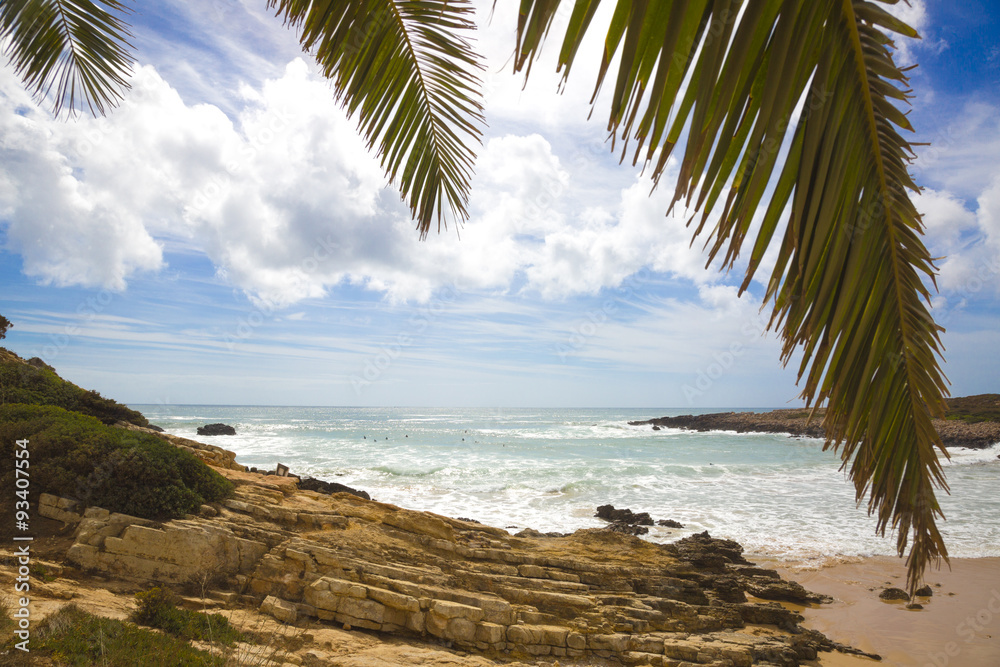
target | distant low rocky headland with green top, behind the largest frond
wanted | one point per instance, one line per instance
(977, 427)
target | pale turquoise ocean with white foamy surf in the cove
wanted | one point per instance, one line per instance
(781, 497)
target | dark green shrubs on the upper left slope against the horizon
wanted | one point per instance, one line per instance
(36, 383)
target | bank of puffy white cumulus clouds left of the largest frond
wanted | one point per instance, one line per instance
(287, 202)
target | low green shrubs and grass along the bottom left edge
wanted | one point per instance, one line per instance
(74, 637)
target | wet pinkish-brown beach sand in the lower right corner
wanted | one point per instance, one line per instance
(959, 625)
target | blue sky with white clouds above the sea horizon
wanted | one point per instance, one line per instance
(224, 237)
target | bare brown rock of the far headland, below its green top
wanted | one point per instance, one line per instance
(954, 433)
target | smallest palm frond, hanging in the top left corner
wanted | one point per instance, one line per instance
(72, 52)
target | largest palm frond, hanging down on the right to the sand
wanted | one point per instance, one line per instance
(746, 81)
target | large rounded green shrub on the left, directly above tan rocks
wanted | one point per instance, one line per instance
(123, 471)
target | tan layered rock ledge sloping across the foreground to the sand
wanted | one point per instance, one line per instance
(593, 597)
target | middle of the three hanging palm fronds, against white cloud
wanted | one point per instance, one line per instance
(411, 77)
